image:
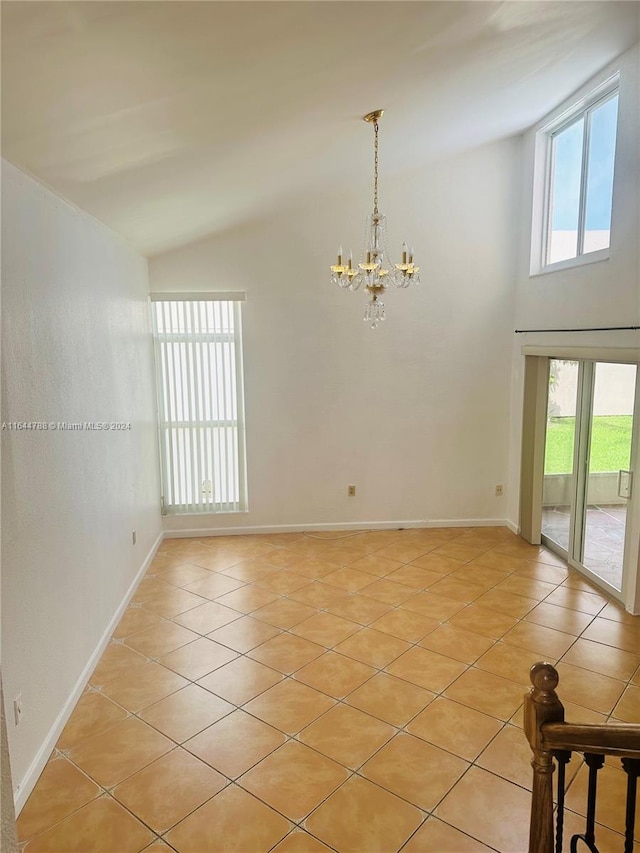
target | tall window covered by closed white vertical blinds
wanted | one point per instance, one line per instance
(198, 348)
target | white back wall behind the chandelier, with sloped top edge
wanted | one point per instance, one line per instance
(414, 413)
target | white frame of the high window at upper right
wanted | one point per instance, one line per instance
(541, 236)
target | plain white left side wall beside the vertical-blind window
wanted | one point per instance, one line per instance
(76, 347)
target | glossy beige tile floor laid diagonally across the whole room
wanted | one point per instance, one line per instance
(360, 693)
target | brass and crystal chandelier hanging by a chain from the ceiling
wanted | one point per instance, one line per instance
(375, 271)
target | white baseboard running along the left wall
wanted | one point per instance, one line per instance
(36, 767)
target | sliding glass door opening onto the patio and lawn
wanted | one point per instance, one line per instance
(587, 475)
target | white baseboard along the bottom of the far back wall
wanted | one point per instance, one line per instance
(349, 525)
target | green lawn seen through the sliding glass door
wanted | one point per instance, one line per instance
(610, 444)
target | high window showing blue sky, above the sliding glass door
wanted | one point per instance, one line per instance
(579, 191)
